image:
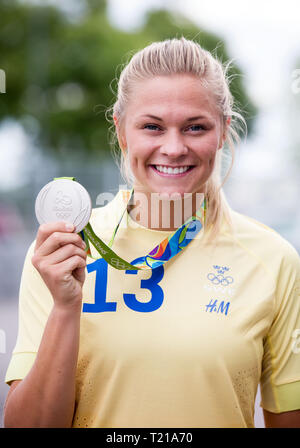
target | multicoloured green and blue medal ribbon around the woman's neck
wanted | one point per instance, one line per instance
(163, 252)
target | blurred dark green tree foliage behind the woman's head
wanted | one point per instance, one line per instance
(60, 73)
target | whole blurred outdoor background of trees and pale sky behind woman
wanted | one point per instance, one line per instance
(58, 67)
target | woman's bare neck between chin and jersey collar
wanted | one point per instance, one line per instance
(158, 211)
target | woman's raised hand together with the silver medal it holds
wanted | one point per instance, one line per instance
(63, 207)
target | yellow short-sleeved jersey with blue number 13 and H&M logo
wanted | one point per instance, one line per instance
(186, 344)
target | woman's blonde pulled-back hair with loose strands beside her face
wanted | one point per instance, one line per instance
(182, 56)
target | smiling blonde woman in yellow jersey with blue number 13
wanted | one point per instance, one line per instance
(187, 343)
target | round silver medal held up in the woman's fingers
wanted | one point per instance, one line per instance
(64, 200)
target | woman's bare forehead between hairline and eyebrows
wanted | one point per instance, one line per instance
(174, 95)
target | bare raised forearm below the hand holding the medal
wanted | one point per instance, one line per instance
(46, 396)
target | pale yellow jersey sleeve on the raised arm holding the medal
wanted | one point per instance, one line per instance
(35, 304)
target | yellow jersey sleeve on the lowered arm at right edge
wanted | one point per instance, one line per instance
(280, 378)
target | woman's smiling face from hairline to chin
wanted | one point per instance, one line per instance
(172, 131)
